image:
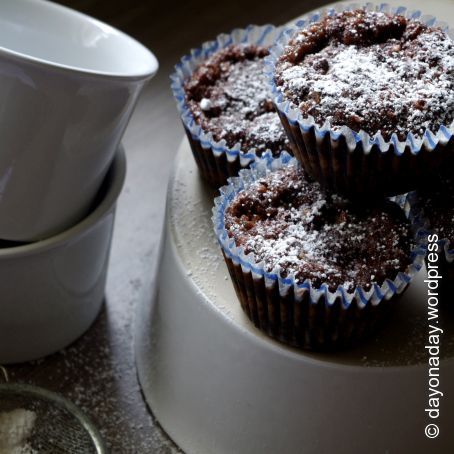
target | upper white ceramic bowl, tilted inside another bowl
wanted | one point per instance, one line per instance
(68, 86)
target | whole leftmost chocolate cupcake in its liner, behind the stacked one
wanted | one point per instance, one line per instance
(226, 103)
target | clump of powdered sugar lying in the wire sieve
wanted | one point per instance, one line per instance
(16, 427)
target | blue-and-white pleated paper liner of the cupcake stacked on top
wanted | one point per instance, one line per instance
(357, 164)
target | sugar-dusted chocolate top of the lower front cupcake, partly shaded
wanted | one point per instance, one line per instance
(291, 226)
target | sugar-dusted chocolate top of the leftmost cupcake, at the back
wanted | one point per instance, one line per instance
(228, 95)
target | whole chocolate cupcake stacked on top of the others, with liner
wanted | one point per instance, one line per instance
(366, 97)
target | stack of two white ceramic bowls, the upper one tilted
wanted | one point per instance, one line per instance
(68, 87)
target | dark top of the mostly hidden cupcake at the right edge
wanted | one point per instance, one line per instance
(438, 208)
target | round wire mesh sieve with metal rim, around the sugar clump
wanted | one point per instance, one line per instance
(60, 427)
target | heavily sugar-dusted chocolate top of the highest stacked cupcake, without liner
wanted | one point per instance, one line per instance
(370, 71)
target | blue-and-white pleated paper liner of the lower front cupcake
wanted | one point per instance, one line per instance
(298, 313)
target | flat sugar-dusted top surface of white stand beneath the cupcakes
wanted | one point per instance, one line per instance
(190, 201)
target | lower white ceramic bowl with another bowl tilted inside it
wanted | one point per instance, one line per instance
(51, 291)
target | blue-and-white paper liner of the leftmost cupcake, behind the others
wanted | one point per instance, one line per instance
(216, 160)
